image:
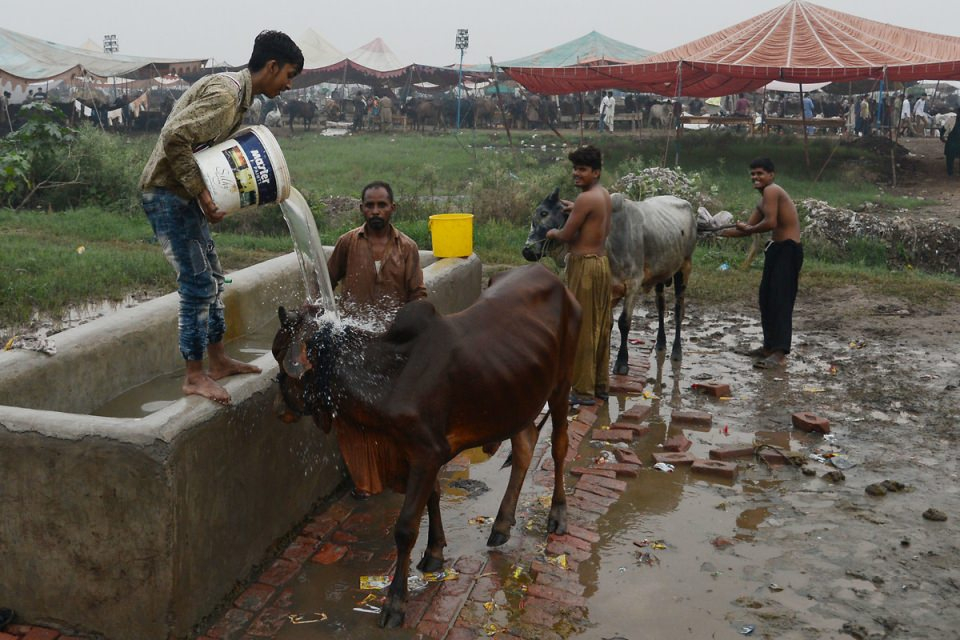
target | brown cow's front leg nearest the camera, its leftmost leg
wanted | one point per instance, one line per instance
(421, 482)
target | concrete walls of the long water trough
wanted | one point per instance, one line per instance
(135, 528)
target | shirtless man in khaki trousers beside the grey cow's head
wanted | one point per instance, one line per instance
(588, 275)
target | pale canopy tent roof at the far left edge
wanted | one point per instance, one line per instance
(25, 59)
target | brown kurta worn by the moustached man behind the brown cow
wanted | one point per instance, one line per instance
(374, 462)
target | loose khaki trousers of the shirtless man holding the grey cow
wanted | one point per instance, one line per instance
(588, 278)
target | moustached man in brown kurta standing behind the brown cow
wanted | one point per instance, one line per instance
(379, 270)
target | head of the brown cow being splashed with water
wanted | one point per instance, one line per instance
(303, 389)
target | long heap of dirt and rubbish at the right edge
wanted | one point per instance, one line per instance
(928, 244)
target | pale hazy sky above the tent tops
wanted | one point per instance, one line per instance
(421, 31)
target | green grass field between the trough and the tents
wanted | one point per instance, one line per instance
(43, 272)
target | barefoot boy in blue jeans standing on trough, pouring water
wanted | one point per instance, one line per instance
(180, 208)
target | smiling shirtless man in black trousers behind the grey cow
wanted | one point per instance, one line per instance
(783, 259)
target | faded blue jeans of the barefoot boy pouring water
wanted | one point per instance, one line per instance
(184, 235)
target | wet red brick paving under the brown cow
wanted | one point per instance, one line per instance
(529, 588)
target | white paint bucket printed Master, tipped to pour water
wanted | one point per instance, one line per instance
(247, 170)
